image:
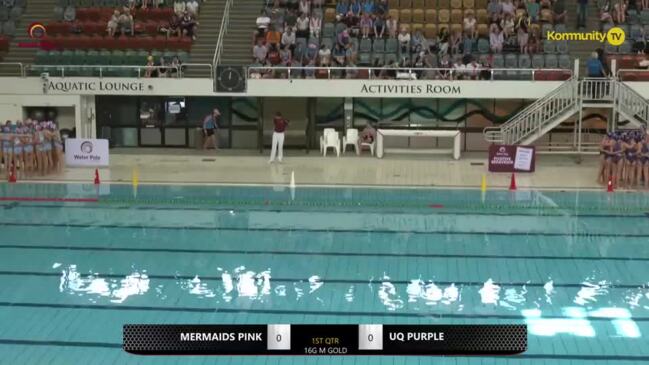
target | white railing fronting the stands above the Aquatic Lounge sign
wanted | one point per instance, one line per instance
(65, 70)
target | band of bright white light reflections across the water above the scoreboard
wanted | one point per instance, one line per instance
(249, 285)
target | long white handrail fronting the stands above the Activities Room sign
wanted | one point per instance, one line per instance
(410, 71)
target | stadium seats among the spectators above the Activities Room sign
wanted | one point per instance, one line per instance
(429, 17)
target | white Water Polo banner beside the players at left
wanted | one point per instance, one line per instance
(86, 152)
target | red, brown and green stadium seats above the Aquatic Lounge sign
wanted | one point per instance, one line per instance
(85, 42)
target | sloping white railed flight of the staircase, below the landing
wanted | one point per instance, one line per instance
(537, 116)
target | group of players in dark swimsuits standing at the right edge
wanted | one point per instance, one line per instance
(624, 158)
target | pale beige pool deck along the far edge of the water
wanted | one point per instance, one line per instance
(187, 166)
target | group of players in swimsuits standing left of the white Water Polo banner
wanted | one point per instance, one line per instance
(31, 147)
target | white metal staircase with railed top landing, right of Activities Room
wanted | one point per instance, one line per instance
(570, 98)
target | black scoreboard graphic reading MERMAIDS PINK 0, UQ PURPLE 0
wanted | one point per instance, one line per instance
(303, 339)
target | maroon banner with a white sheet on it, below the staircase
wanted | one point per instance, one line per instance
(508, 158)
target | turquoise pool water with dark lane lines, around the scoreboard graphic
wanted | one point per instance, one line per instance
(78, 262)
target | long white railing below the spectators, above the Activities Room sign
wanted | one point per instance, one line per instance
(410, 73)
